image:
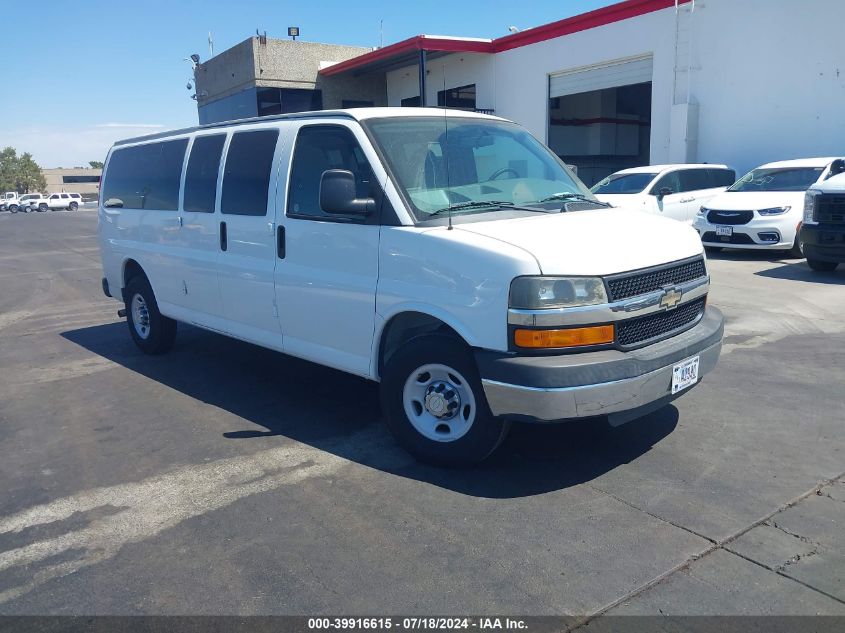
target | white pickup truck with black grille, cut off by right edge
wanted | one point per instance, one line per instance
(823, 229)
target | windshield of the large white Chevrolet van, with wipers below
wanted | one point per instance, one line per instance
(471, 166)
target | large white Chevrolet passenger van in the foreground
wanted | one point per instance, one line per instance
(450, 256)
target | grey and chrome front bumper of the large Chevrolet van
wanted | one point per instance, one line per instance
(621, 385)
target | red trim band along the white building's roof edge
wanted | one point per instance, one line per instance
(600, 17)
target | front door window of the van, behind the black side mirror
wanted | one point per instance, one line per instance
(319, 148)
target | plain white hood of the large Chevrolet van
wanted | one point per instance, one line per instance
(599, 242)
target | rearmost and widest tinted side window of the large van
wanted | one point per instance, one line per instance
(145, 176)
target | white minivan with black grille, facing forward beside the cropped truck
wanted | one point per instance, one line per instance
(763, 209)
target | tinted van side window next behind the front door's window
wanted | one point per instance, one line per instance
(246, 177)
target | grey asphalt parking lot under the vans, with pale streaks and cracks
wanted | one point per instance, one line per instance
(226, 479)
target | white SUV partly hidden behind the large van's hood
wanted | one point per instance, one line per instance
(672, 191)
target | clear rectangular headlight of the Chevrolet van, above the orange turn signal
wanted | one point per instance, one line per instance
(537, 293)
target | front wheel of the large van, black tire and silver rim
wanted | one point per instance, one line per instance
(435, 405)
